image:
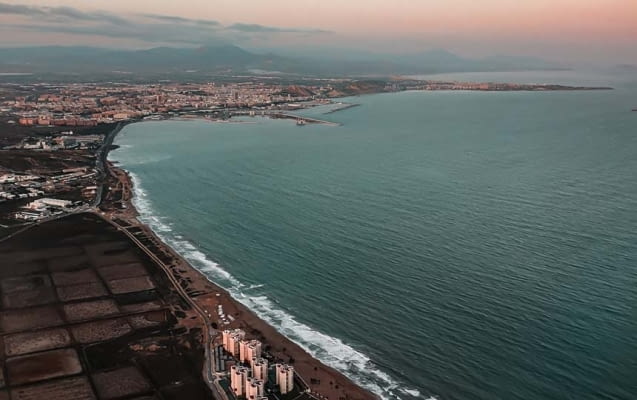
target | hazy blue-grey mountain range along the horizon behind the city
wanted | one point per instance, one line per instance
(229, 58)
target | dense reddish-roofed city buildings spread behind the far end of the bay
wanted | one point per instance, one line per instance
(86, 105)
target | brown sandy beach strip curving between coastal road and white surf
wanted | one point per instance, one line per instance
(321, 379)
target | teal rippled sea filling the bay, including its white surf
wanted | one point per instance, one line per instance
(448, 245)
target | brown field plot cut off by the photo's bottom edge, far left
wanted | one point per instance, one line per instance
(66, 389)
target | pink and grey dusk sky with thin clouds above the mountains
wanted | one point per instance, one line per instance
(580, 31)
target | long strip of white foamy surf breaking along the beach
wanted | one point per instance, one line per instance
(328, 349)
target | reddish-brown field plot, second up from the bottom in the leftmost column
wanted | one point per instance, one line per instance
(40, 366)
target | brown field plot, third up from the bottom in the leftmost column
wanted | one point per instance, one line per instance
(31, 342)
